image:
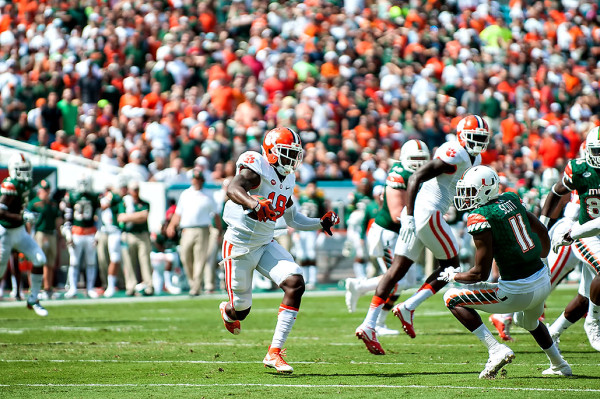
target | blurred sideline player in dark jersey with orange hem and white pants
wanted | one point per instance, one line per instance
(79, 230)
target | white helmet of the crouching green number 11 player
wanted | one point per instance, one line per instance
(477, 187)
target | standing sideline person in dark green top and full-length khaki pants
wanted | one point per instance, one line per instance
(133, 222)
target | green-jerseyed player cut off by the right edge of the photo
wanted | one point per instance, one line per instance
(583, 176)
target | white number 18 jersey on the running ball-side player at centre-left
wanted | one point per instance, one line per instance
(241, 228)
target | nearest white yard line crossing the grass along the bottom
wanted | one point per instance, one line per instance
(320, 386)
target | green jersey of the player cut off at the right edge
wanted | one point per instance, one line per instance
(585, 180)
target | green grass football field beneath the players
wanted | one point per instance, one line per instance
(179, 348)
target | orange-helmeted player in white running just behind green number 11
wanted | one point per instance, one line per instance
(432, 186)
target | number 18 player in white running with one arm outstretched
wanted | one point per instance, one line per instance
(259, 194)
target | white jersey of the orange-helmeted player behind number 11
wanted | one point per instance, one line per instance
(438, 194)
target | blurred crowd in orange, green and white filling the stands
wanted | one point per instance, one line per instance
(159, 87)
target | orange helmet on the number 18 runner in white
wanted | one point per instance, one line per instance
(283, 150)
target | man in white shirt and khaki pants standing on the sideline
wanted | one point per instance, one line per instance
(195, 212)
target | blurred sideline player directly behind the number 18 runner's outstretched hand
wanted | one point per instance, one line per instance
(312, 204)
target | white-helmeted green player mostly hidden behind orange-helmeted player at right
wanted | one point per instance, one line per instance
(383, 233)
